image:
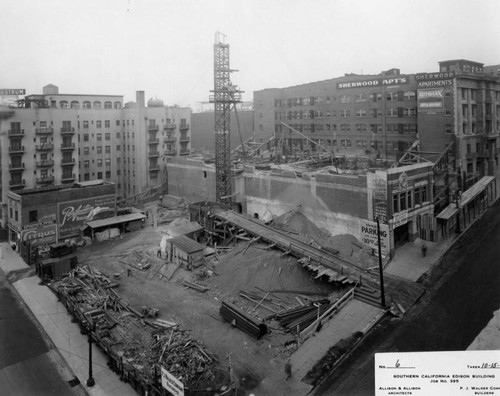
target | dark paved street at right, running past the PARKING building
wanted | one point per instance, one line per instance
(462, 295)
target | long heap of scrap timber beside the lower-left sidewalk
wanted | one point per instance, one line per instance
(136, 346)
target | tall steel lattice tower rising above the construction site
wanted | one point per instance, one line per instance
(225, 95)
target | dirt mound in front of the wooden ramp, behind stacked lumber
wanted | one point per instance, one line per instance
(244, 268)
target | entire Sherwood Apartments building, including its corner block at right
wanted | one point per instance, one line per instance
(382, 115)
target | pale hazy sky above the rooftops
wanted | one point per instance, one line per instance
(165, 47)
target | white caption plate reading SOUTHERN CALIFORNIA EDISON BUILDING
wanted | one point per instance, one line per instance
(460, 373)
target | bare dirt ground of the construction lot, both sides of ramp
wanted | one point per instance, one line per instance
(258, 279)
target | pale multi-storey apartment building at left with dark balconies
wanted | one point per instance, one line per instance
(62, 138)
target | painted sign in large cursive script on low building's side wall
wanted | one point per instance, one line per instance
(72, 215)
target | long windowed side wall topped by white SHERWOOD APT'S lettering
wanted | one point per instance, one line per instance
(364, 114)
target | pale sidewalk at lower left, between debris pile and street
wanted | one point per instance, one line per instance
(65, 335)
